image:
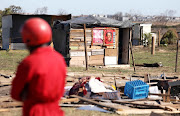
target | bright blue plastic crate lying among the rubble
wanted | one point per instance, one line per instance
(136, 89)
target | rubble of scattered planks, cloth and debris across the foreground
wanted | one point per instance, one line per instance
(94, 93)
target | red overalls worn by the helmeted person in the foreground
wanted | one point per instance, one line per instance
(44, 71)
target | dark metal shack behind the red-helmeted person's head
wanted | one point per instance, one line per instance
(11, 24)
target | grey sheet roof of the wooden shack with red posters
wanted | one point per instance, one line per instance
(91, 21)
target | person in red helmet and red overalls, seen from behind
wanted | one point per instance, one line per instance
(40, 77)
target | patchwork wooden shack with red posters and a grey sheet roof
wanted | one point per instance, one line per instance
(107, 40)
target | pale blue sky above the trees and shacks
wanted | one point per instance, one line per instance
(86, 7)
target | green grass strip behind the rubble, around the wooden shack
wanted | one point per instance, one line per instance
(167, 55)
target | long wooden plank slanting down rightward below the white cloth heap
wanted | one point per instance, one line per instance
(97, 103)
